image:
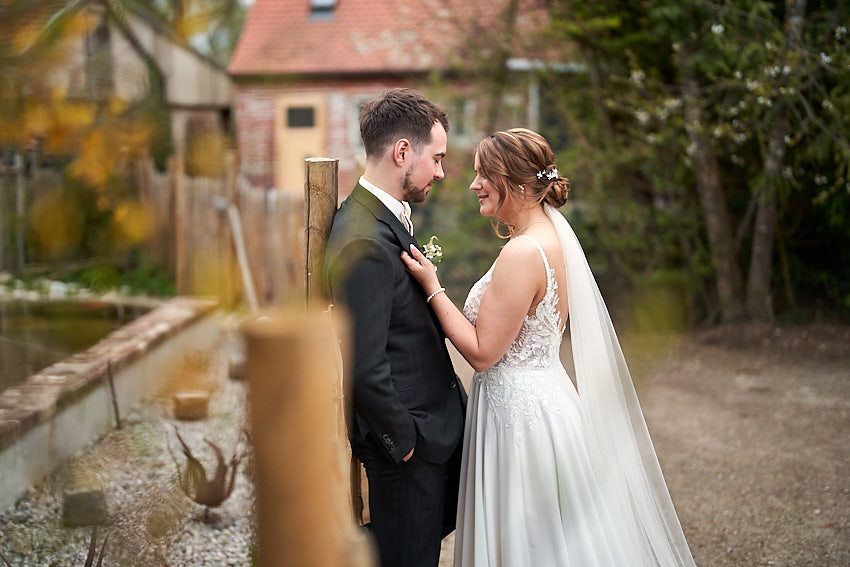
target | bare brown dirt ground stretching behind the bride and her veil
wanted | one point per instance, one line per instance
(752, 427)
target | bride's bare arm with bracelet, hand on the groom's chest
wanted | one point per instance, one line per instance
(513, 287)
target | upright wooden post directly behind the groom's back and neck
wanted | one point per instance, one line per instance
(320, 195)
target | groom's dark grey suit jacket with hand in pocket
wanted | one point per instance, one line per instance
(405, 391)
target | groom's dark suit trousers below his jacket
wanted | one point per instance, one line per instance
(412, 507)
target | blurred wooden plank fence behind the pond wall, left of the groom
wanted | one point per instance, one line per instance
(195, 236)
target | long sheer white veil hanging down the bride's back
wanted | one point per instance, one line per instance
(620, 448)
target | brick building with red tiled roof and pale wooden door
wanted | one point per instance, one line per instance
(302, 69)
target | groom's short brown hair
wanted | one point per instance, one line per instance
(399, 113)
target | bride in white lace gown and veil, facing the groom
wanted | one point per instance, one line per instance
(551, 475)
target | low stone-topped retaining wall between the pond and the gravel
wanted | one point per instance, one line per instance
(54, 413)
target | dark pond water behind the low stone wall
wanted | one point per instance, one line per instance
(36, 334)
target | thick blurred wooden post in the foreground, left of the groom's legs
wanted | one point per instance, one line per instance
(302, 510)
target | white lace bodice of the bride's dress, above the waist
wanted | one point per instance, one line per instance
(538, 343)
